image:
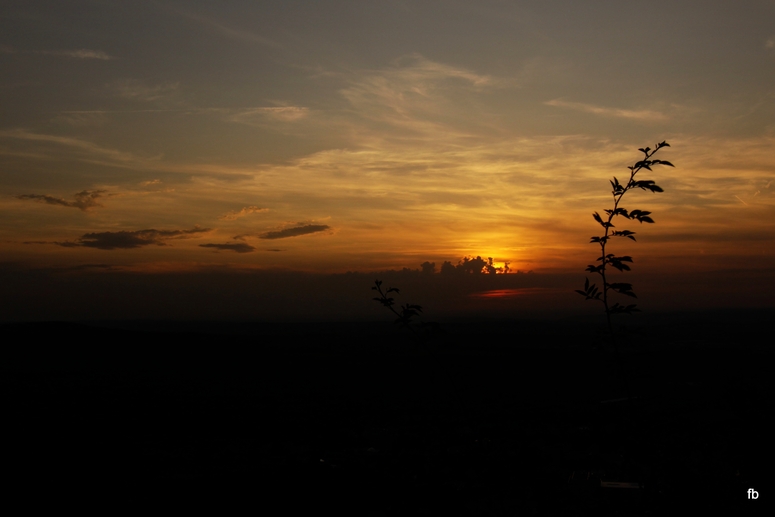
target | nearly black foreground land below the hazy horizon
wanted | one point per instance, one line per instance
(489, 418)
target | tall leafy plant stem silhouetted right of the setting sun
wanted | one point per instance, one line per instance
(591, 291)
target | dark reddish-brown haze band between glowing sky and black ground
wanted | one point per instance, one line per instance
(220, 294)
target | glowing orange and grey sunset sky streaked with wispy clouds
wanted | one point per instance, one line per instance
(296, 138)
